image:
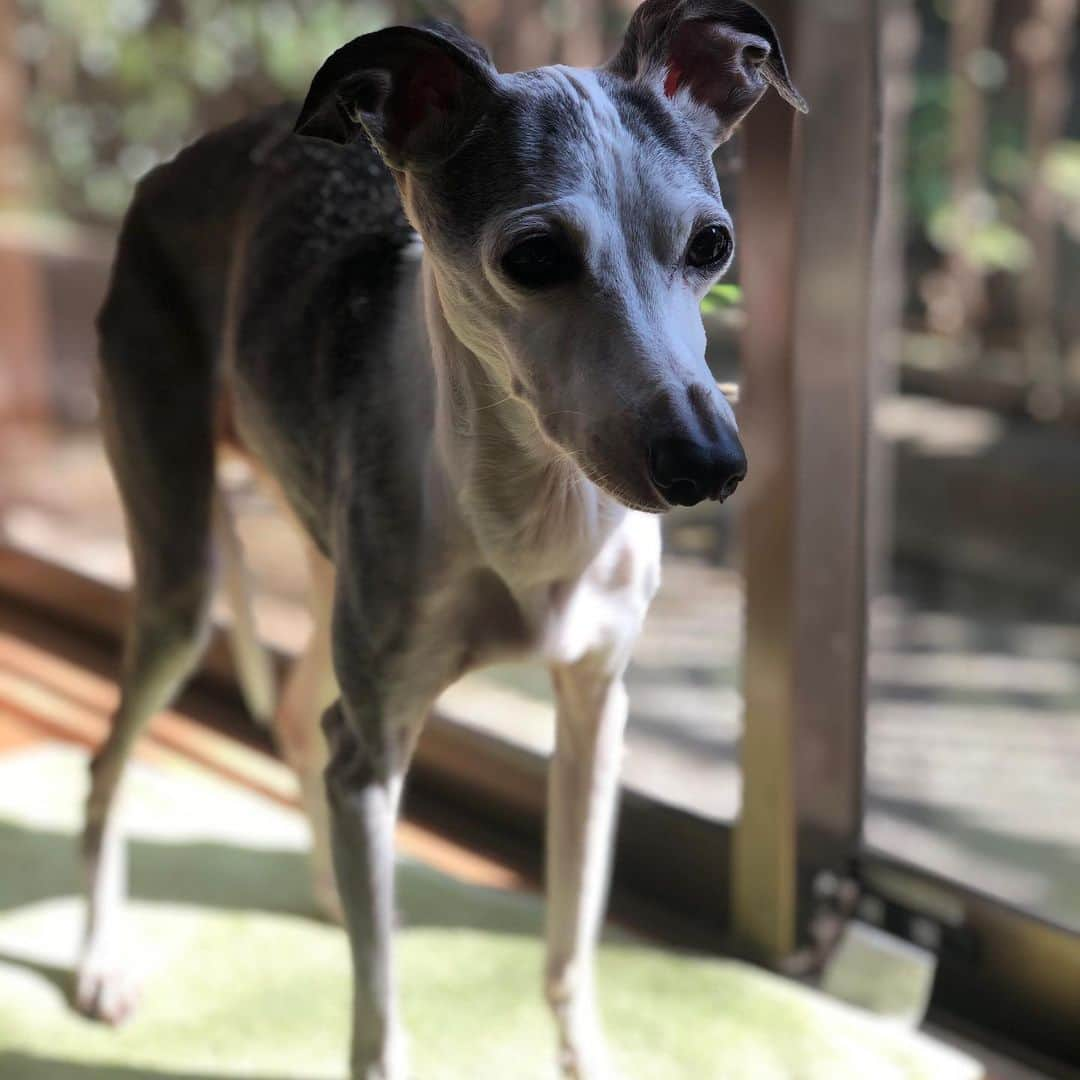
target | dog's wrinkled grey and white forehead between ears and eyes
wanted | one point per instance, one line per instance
(569, 132)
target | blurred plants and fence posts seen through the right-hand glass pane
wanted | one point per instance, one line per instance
(992, 190)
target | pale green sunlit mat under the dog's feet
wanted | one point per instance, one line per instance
(242, 980)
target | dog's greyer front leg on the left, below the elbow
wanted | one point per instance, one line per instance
(364, 781)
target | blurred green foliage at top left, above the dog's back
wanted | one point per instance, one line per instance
(118, 86)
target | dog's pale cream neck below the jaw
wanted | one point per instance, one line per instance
(535, 515)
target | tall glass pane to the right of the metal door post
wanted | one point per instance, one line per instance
(974, 766)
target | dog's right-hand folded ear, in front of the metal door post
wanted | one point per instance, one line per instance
(712, 58)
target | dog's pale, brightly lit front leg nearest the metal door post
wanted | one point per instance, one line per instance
(583, 793)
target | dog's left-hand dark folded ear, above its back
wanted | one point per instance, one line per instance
(417, 91)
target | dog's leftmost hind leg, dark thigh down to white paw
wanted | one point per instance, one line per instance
(157, 406)
